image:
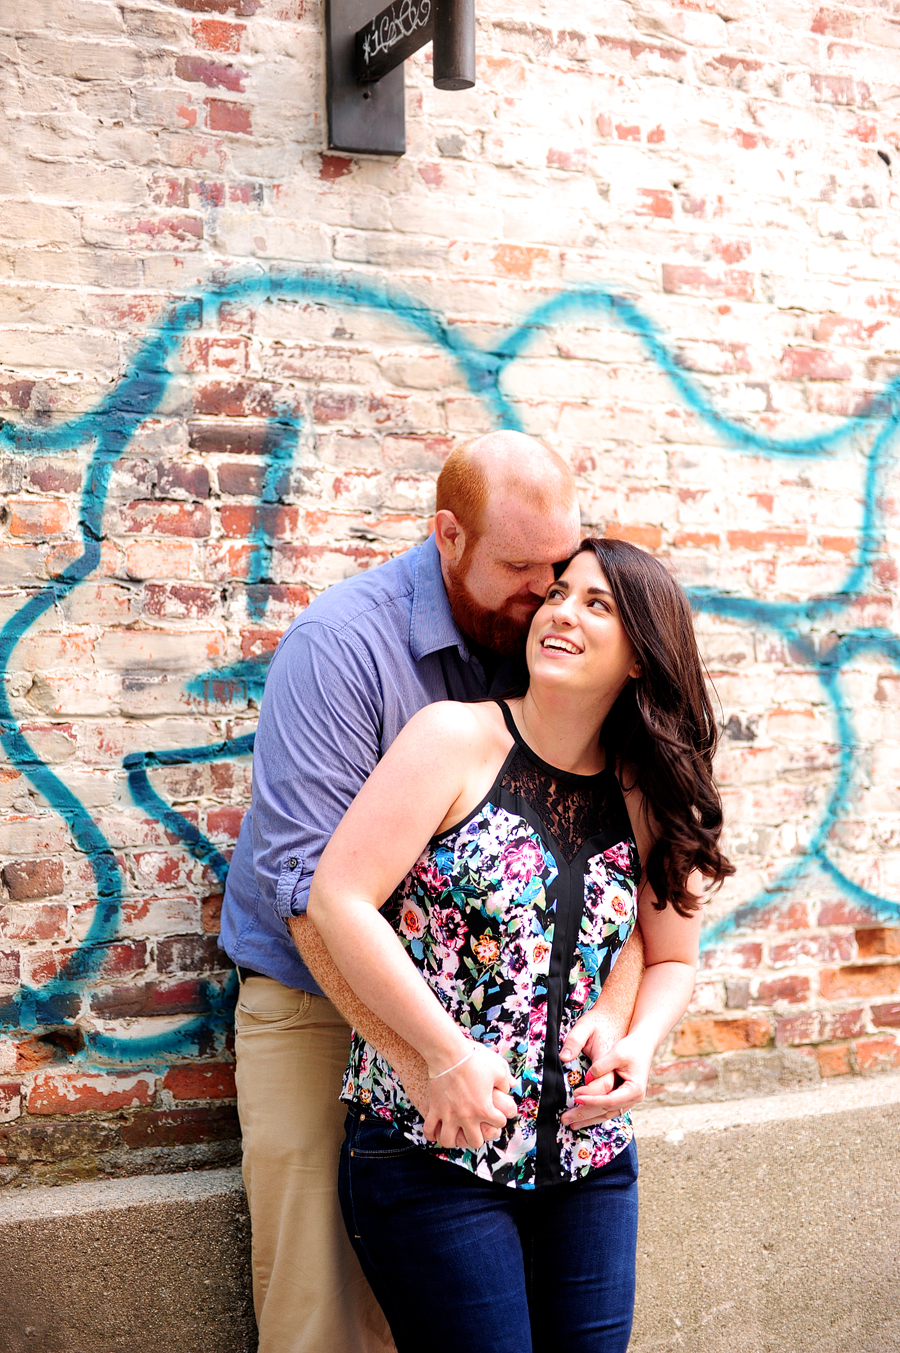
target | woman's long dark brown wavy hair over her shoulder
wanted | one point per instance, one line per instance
(661, 730)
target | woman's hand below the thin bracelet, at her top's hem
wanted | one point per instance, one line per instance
(472, 1103)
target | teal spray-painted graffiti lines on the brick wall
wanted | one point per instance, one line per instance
(112, 426)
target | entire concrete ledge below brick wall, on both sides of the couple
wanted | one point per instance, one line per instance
(768, 1226)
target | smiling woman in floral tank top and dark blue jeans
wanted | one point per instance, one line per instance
(476, 896)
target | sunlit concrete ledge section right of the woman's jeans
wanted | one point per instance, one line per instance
(772, 1225)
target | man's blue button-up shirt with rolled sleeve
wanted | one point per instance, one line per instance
(348, 673)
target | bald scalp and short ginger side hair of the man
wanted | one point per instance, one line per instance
(503, 466)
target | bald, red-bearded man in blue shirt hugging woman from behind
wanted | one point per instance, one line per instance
(443, 622)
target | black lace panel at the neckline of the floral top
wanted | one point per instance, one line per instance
(570, 811)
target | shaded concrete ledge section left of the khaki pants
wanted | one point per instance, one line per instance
(158, 1264)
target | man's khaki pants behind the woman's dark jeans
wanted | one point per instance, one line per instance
(309, 1293)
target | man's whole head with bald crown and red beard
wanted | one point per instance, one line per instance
(507, 512)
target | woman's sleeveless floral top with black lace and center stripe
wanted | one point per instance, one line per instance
(515, 918)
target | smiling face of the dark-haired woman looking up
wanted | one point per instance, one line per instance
(577, 638)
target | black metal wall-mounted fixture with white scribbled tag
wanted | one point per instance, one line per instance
(366, 66)
